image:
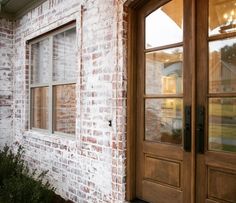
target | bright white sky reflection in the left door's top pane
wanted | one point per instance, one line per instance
(162, 30)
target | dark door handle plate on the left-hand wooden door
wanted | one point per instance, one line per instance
(187, 129)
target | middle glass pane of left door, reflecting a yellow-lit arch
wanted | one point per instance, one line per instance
(164, 71)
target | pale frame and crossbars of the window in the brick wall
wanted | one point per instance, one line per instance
(51, 122)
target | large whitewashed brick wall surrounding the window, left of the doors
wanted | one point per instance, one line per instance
(90, 166)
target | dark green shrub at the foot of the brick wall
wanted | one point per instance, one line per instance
(17, 184)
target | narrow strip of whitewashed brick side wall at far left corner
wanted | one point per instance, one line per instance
(6, 53)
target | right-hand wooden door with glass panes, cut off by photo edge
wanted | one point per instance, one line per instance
(216, 99)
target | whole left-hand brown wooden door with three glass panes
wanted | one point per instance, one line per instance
(163, 141)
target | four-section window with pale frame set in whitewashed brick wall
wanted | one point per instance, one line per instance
(53, 82)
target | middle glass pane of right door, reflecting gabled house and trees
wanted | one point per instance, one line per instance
(222, 66)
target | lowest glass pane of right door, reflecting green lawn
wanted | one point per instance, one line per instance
(222, 124)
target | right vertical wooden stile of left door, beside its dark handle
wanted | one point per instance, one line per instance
(190, 95)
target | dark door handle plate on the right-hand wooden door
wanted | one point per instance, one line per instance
(200, 129)
